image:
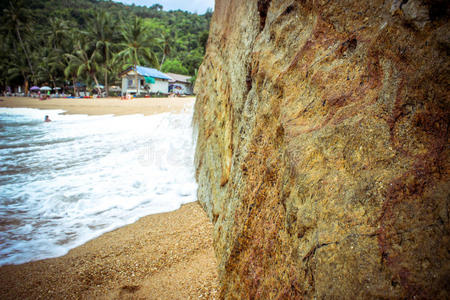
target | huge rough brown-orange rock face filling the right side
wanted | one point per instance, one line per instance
(322, 154)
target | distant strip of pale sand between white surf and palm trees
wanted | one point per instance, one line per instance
(102, 106)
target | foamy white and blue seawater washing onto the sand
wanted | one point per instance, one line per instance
(65, 182)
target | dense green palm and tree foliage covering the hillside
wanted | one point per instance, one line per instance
(54, 42)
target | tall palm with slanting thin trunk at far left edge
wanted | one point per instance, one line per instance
(15, 18)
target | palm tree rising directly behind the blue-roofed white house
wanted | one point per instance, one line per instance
(136, 46)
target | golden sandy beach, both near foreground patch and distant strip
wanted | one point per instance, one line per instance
(161, 256)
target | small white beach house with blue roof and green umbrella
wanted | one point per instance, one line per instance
(148, 81)
